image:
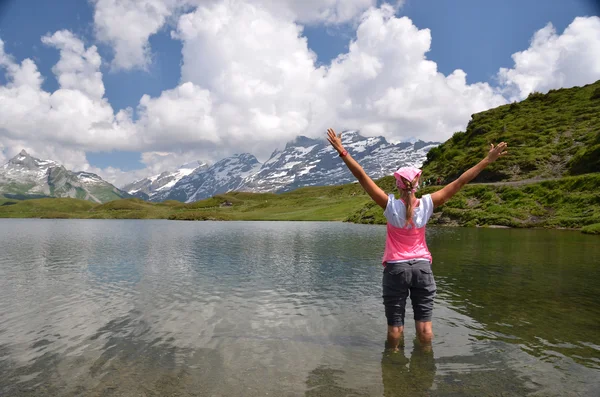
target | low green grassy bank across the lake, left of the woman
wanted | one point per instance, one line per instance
(320, 203)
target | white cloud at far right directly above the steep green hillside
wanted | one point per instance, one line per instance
(555, 61)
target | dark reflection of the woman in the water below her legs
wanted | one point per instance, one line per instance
(408, 377)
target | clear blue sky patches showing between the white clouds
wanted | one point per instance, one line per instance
(473, 35)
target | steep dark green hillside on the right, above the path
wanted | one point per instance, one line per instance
(549, 136)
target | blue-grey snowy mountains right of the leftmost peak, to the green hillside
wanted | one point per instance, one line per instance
(303, 162)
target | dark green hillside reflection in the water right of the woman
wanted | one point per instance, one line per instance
(535, 288)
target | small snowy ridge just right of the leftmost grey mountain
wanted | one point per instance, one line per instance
(157, 187)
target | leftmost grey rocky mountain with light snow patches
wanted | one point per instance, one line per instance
(25, 175)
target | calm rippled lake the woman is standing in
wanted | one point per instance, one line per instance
(165, 308)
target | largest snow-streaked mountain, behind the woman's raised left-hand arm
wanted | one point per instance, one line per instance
(312, 162)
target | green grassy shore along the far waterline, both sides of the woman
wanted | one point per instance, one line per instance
(567, 204)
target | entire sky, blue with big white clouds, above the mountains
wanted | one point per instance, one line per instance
(131, 88)
